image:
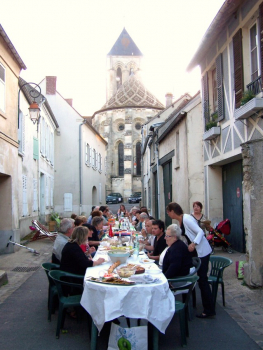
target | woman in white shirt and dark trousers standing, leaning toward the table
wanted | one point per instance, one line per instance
(198, 241)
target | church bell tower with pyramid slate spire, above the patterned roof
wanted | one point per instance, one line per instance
(123, 59)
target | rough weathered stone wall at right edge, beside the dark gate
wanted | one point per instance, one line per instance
(253, 208)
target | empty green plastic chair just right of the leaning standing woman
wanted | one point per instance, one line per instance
(218, 264)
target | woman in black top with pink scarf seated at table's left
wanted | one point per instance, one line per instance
(73, 259)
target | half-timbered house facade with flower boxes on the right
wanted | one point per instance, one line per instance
(230, 57)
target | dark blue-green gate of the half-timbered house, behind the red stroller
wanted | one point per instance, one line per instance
(233, 203)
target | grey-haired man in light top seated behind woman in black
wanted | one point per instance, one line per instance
(65, 231)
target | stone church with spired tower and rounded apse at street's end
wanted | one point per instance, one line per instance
(129, 105)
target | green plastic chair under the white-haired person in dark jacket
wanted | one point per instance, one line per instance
(183, 283)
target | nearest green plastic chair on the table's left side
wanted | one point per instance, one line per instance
(64, 283)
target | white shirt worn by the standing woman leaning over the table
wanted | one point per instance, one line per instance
(196, 235)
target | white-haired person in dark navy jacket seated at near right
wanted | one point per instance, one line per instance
(177, 260)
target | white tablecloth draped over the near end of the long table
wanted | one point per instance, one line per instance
(153, 302)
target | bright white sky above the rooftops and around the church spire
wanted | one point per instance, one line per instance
(70, 39)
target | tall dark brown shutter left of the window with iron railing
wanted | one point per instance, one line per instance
(238, 67)
